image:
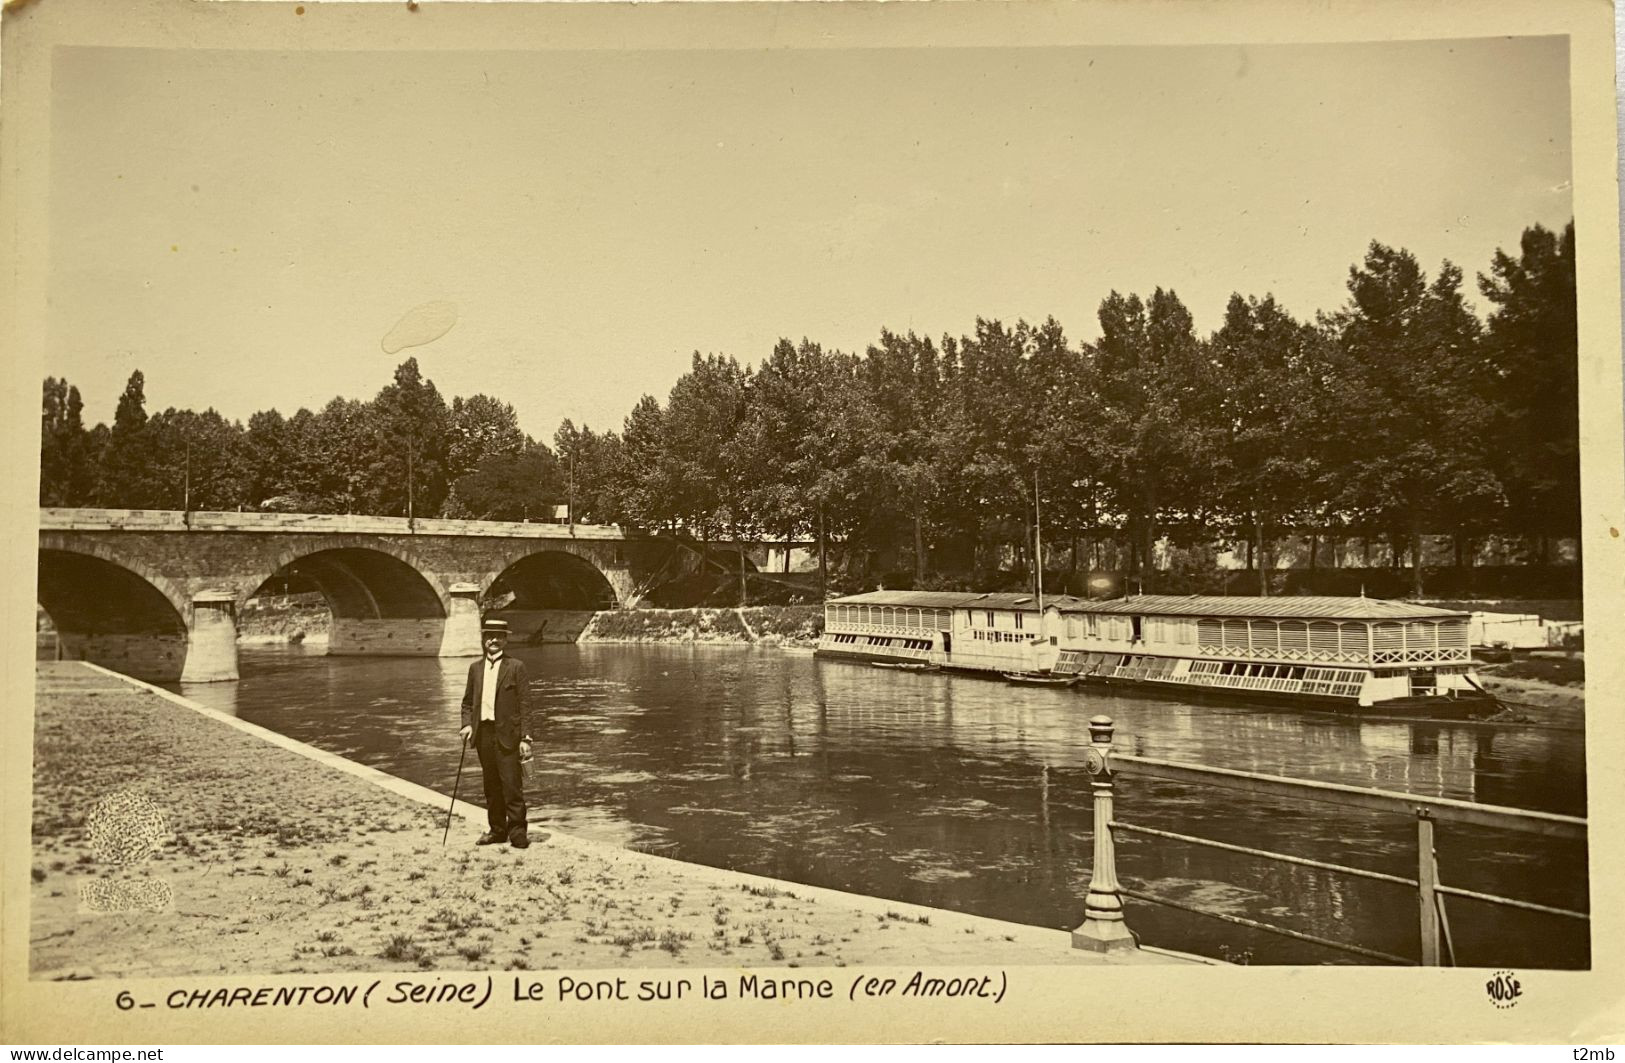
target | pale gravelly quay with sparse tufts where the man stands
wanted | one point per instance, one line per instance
(275, 857)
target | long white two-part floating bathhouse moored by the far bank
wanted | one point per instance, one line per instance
(1343, 654)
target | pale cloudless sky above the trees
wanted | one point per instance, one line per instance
(248, 228)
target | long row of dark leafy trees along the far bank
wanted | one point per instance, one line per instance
(1397, 417)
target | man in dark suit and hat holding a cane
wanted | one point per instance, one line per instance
(496, 718)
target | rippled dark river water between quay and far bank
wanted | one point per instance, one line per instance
(969, 794)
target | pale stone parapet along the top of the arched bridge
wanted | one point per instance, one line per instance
(53, 519)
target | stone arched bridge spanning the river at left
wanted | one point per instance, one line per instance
(157, 594)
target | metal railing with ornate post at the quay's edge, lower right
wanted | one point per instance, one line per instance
(1106, 931)
